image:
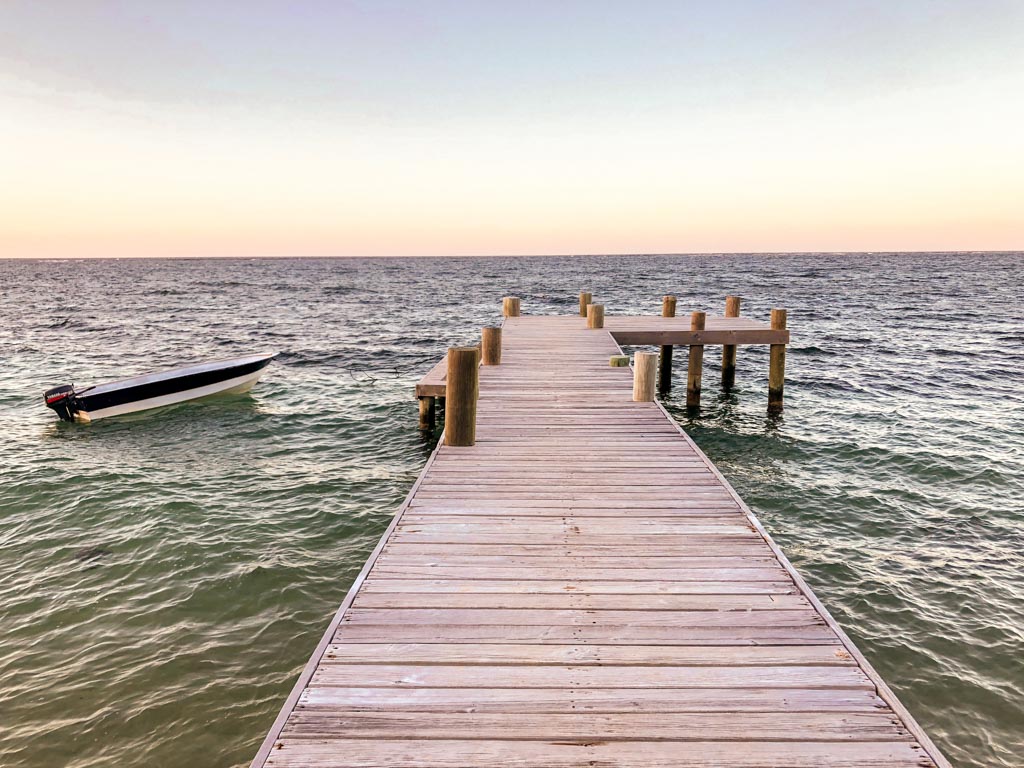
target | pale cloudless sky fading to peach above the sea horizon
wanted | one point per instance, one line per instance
(476, 127)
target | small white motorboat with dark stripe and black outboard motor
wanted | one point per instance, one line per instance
(158, 390)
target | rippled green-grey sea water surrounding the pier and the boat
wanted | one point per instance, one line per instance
(164, 578)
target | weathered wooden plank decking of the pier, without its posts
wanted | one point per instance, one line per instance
(583, 588)
